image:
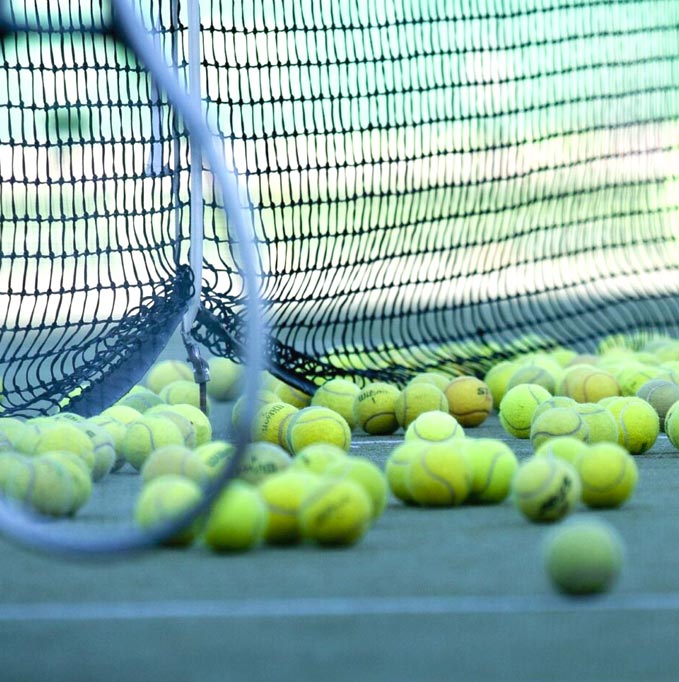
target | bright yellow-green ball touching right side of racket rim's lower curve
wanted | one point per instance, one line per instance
(237, 520)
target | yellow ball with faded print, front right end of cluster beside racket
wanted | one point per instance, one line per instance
(337, 512)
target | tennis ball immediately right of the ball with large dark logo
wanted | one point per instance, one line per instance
(609, 475)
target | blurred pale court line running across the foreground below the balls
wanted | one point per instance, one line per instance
(335, 607)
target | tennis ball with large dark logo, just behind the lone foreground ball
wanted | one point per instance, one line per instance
(546, 489)
